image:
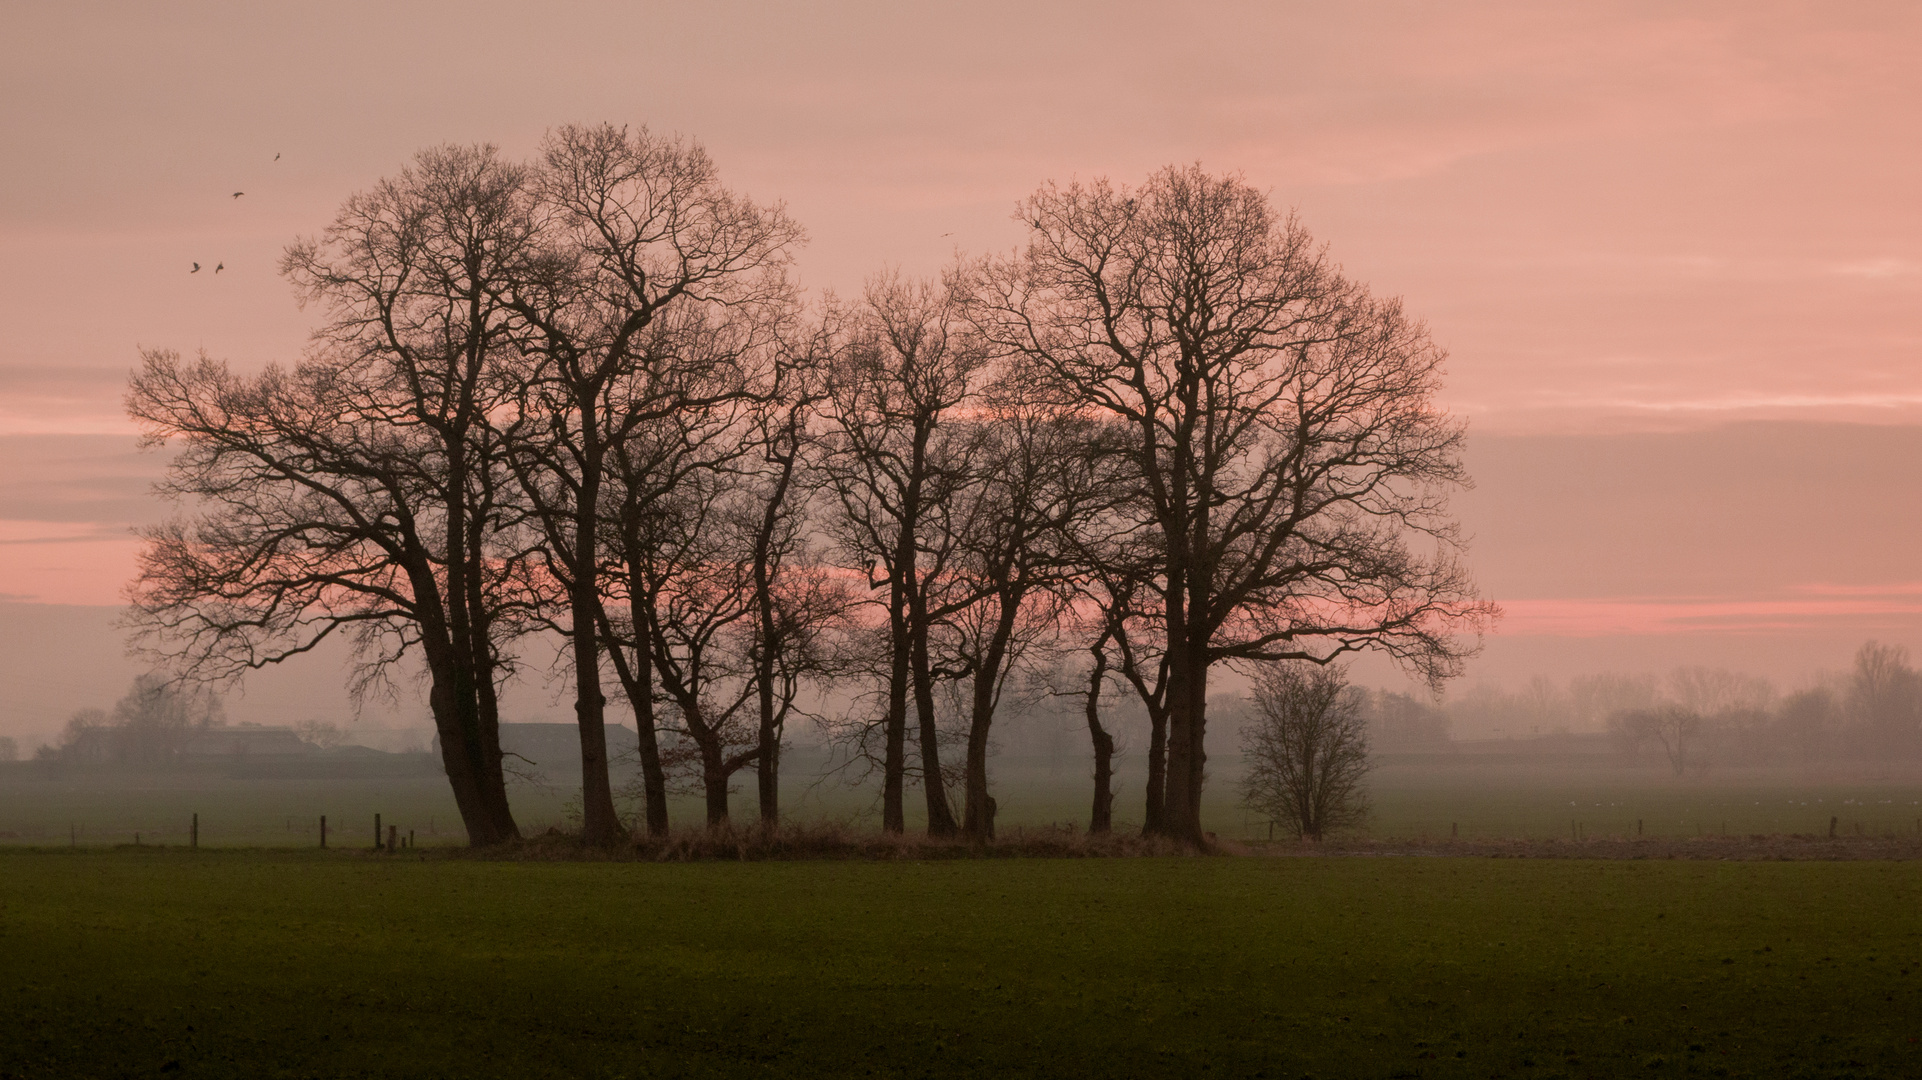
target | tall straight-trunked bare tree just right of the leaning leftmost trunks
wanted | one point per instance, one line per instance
(635, 230)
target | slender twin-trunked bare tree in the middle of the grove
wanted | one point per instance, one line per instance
(899, 468)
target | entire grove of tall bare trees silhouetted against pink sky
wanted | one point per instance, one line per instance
(581, 401)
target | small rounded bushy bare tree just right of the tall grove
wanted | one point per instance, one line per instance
(1306, 750)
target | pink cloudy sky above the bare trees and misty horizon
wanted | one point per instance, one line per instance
(1629, 224)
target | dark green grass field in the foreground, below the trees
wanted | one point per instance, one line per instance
(264, 964)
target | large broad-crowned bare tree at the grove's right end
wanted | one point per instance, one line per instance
(1287, 445)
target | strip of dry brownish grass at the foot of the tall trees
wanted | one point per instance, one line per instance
(829, 843)
